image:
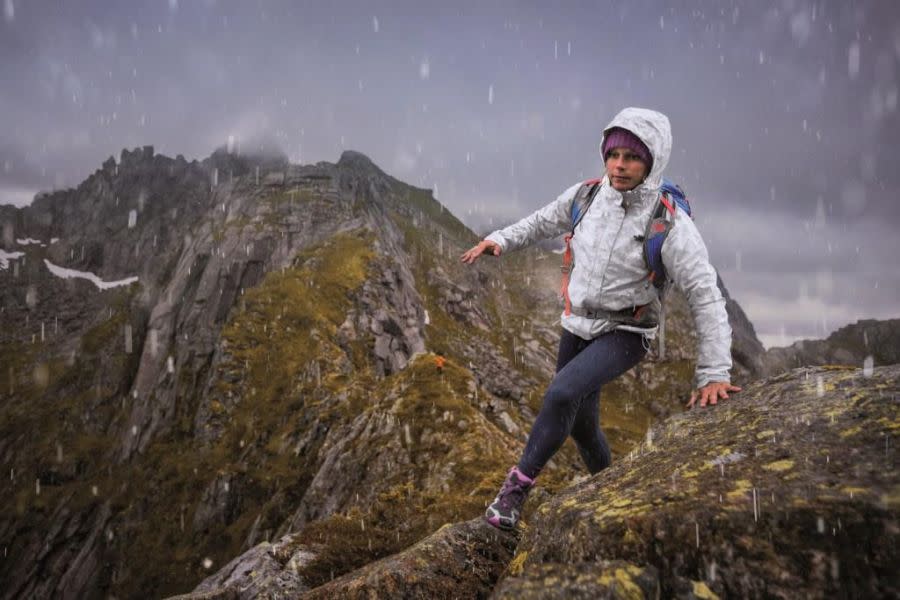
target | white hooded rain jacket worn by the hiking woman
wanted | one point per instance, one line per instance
(609, 271)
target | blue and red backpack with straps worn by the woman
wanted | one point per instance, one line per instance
(671, 197)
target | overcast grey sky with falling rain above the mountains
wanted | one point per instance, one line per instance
(784, 113)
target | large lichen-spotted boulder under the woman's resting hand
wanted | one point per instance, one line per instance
(814, 477)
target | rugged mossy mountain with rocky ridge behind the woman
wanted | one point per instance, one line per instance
(201, 357)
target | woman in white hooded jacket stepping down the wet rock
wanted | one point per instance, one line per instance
(611, 304)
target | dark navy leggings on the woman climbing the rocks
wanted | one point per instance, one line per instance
(572, 402)
